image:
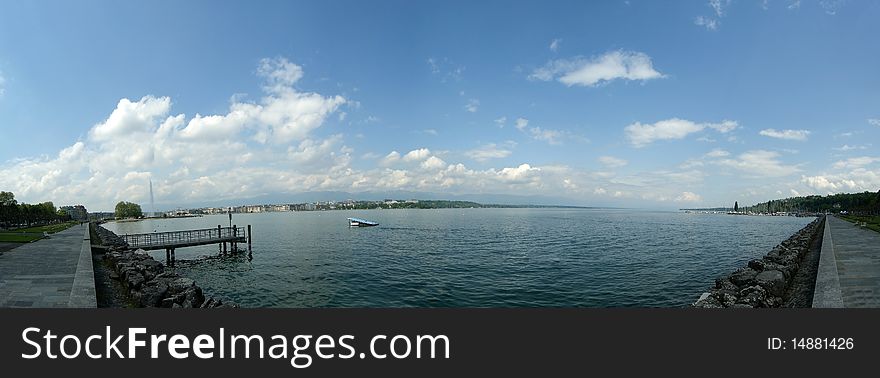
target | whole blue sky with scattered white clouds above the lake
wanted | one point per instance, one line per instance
(623, 103)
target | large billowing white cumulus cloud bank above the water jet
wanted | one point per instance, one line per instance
(206, 157)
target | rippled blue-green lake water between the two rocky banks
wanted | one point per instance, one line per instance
(475, 257)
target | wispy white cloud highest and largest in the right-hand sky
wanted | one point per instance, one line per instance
(613, 65)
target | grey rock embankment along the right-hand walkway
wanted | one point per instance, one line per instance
(772, 280)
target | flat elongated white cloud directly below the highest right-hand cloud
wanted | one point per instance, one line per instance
(641, 135)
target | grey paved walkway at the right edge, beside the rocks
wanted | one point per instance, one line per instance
(852, 254)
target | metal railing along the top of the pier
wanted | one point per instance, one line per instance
(187, 237)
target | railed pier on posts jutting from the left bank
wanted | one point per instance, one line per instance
(169, 241)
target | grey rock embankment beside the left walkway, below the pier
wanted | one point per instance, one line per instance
(147, 282)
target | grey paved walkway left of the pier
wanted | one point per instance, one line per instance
(52, 272)
